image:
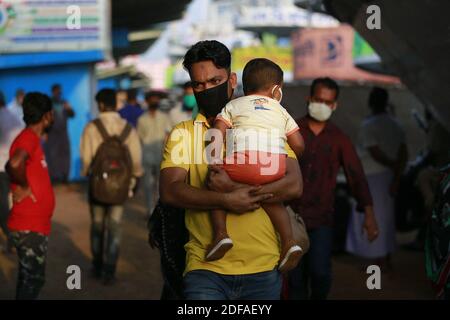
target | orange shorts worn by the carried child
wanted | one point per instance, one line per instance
(255, 167)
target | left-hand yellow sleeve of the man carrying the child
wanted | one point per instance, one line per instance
(177, 149)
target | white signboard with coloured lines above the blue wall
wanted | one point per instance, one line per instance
(54, 25)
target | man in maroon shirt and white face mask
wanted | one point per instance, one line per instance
(327, 149)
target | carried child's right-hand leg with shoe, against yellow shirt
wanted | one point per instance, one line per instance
(290, 251)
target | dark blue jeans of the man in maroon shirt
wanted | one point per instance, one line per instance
(311, 279)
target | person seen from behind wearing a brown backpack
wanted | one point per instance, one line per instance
(111, 154)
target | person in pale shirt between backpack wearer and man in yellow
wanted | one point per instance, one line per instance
(152, 128)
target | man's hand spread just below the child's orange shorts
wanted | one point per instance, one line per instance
(243, 200)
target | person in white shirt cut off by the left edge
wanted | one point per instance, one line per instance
(10, 127)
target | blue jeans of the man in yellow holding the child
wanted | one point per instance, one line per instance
(208, 285)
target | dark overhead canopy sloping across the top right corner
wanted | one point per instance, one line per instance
(413, 43)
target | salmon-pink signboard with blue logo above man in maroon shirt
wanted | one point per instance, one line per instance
(329, 52)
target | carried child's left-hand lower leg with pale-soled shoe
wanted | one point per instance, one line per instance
(221, 241)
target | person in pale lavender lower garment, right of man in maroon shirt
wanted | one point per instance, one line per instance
(382, 146)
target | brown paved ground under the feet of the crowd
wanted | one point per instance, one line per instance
(138, 268)
